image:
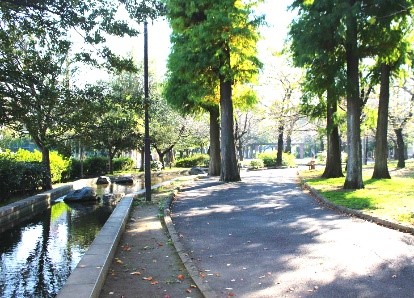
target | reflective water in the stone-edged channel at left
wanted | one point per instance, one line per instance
(38, 256)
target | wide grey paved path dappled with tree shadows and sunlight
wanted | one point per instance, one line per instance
(265, 237)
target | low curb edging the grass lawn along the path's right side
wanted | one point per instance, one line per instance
(379, 221)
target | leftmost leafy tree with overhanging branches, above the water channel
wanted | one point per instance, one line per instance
(34, 48)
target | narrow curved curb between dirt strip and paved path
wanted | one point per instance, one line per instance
(192, 270)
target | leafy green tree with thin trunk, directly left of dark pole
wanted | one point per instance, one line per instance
(116, 123)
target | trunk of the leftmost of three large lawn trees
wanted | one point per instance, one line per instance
(333, 168)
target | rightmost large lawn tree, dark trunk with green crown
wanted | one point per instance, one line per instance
(388, 19)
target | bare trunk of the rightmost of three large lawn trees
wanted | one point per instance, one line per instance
(381, 144)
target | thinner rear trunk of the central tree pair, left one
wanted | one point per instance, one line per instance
(215, 159)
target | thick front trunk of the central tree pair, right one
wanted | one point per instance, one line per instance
(229, 168)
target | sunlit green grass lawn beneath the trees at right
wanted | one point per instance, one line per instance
(390, 199)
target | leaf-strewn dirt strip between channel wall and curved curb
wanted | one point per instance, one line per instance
(146, 263)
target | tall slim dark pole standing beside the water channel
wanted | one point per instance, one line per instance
(147, 149)
